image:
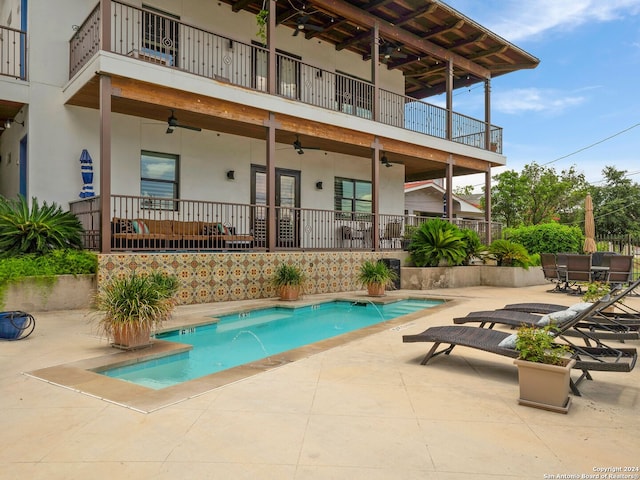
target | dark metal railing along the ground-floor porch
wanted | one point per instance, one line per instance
(154, 224)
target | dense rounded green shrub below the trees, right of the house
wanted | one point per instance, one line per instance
(547, 238)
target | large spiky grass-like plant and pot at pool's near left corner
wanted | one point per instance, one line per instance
(135, 306)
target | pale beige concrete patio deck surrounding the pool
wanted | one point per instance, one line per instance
(365, 409)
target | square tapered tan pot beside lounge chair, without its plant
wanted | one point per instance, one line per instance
(545, 386)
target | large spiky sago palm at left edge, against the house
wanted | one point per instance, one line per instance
(36, 228)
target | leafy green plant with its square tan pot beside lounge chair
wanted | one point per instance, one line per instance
(543, 369)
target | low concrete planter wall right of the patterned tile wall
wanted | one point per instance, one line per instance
(428, 278)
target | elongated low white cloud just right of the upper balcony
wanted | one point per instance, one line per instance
(524, 100)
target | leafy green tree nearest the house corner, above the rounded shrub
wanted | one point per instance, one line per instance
(537, 195)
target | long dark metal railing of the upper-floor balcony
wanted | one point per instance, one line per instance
(145, 35)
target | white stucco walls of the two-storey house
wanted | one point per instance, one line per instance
(57, 133)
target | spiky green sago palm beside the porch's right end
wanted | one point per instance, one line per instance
(437, 241)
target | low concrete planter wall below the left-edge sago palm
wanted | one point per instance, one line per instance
(64, 292)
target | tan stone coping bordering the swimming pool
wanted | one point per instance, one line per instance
(81, 376)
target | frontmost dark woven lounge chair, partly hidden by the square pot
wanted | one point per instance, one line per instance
(600, 357)
